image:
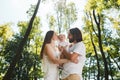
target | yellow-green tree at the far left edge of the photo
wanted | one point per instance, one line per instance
(6, 34)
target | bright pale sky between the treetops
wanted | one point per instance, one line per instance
(14, 11)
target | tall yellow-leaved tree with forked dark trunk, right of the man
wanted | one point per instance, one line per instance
(96, 17)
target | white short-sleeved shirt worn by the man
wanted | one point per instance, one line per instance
(73, 68)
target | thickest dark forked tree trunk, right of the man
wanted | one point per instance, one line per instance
(100, 44)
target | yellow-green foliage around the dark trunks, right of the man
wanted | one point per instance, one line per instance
(110, 29)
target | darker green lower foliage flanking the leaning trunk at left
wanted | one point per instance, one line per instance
(29, 65)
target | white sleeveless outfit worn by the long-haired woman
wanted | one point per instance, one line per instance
(51, 71)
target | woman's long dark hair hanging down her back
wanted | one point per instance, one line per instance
(47, 39)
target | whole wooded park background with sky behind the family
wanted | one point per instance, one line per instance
(23, 24)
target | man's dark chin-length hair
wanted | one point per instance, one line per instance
(76, 33)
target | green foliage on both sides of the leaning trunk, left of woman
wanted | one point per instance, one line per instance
(29, 66)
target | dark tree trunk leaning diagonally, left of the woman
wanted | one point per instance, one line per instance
(19, 50)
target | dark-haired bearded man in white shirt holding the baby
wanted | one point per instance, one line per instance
(72, 70)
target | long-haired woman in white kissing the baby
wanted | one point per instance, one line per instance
(50, 55)
